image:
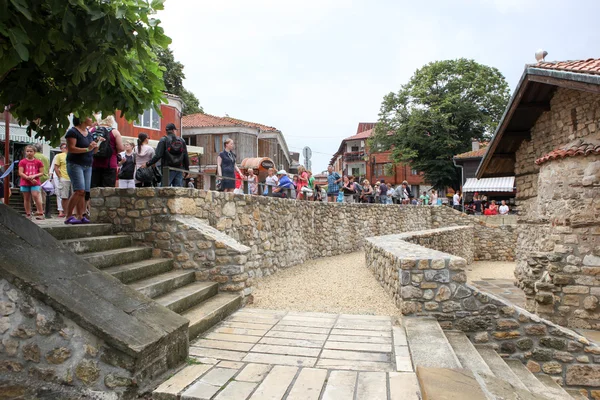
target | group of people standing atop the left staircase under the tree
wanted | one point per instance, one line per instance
(95, 155)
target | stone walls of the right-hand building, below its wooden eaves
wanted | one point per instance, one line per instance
(558, 213)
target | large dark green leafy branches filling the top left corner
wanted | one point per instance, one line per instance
(80, 56)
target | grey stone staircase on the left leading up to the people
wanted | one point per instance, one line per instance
(176, 289)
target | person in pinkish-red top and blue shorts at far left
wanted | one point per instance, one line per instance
(30, 170)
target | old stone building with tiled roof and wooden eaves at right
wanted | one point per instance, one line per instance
(549, 139)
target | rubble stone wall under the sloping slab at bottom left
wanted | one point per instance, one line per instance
(44, 352)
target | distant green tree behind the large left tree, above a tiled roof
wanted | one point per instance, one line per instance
(173, 77)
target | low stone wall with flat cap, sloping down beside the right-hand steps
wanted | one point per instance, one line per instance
(426, 282)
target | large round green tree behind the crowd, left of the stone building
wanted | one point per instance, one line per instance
(437, 113)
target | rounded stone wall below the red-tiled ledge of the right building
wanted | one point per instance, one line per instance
(563, 281)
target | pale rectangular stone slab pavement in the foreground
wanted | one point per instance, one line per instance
(267, 354)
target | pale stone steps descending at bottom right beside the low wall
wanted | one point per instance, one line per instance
(449, 352)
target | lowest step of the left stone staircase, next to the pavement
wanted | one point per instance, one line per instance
(209, 312)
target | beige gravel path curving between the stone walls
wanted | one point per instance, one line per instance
(340, 284)
